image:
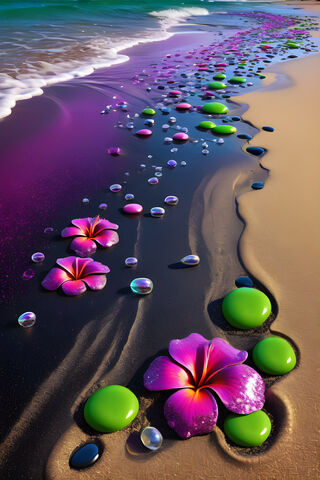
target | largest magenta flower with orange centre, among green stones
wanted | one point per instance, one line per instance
(197, 367)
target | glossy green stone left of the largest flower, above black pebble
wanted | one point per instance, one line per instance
(111, 408)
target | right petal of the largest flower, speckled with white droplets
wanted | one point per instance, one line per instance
(240, 388)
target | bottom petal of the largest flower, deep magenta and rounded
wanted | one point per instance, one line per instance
(191, 412)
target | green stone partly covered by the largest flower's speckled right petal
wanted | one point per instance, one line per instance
(247, 430)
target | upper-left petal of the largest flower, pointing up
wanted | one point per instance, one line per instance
(186, 350)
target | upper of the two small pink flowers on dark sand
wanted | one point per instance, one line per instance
(88, 231)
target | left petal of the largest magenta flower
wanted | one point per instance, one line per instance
(164, 374)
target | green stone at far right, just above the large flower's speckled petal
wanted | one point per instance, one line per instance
(274, 355)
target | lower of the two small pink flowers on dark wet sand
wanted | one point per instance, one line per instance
(74, 274)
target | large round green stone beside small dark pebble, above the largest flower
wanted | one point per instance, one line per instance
(246, 308)
